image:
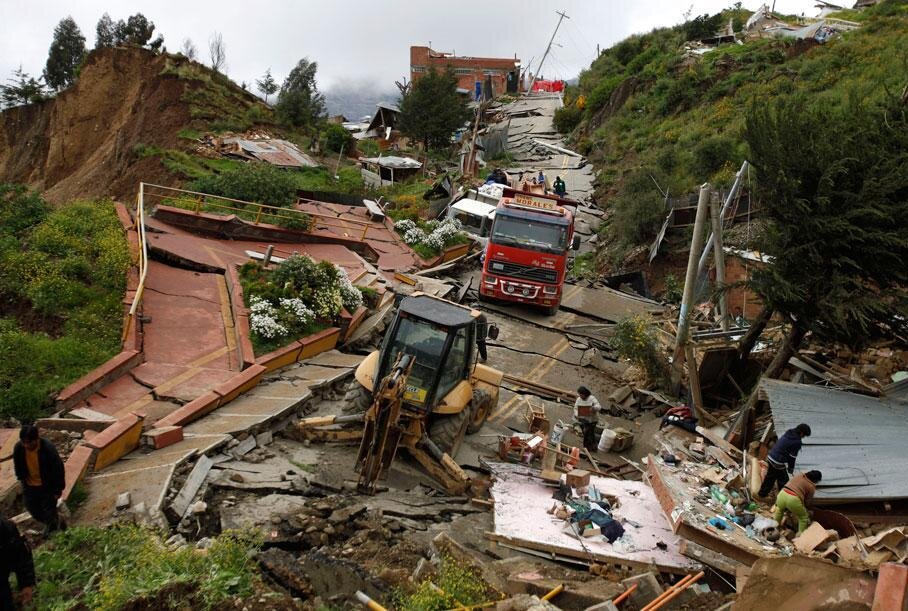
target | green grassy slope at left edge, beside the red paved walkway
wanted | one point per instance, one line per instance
(62, 279)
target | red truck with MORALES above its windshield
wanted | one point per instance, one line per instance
(526, 258)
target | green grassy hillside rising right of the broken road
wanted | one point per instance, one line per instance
(653, 111)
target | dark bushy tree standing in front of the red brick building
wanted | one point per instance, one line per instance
(432, 109)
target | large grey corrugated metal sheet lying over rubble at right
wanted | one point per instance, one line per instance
(858, 442)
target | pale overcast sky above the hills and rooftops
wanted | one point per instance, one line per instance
(356, 41)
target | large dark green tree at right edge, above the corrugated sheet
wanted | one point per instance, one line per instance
(833, 187)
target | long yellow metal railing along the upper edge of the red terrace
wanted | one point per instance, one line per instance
(251, 211)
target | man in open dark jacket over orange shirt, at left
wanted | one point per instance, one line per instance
(39, 468)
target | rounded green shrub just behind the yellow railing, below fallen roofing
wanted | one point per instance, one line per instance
(253, 182)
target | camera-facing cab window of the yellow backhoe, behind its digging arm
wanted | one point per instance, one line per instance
(425, 342)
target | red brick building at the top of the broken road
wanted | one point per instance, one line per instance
(504, 72)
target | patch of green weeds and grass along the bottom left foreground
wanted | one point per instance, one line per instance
(107, 568)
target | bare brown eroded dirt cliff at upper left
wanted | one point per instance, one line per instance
(80, 144)
